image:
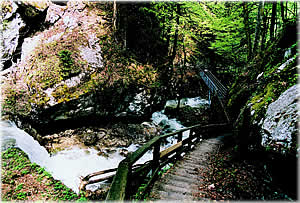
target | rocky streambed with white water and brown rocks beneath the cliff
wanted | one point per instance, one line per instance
(73, 153)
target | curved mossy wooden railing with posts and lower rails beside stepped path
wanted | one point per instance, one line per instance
(122, 185)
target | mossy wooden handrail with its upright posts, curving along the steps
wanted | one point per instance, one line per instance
(121, 182)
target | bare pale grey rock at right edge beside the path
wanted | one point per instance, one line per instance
(279, 129)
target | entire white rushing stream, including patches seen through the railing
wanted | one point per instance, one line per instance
(68, 165)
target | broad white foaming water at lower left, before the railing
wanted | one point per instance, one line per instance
(67, 165)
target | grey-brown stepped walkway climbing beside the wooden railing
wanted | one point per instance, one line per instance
(182, 181)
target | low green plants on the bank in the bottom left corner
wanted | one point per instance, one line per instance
(14, 174)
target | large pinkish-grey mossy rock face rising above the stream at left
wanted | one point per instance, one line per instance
(71, 68)
